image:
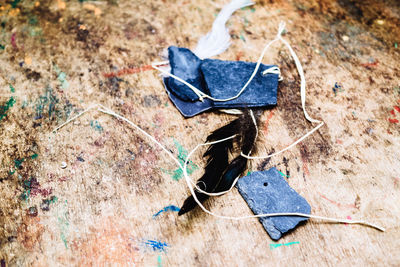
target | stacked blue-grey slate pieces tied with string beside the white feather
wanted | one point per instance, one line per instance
(219, 79)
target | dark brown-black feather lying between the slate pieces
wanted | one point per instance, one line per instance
(219, 174)
